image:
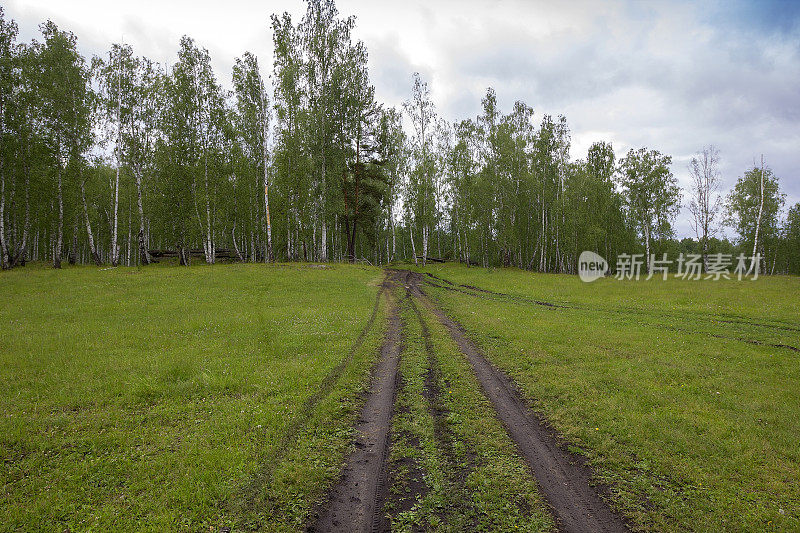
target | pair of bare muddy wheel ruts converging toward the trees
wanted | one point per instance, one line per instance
(355, 504)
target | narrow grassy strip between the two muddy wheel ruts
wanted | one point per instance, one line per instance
(454, 445)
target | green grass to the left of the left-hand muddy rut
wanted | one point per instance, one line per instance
(171, 398)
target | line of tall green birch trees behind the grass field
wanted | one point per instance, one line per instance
(105, 160)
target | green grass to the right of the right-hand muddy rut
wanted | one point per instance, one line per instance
(692, 428)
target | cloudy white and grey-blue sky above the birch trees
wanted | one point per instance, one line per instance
(672, 76)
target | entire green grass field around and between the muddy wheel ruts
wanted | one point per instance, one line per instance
(175, 399)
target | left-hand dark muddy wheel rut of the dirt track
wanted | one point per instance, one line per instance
(356, 501)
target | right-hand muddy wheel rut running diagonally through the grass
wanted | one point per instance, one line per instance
(565, 482)
